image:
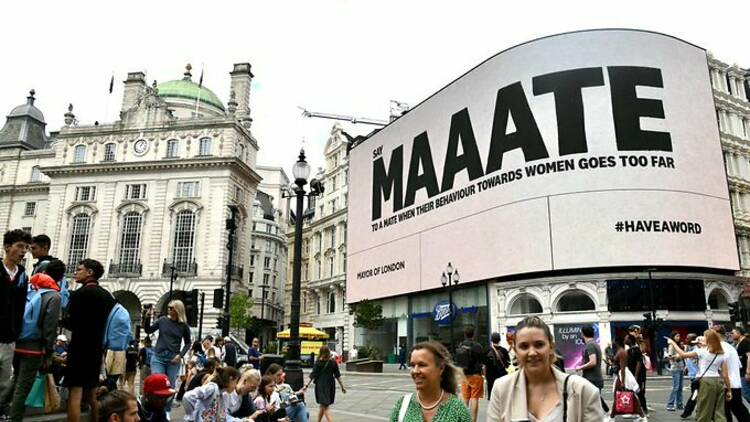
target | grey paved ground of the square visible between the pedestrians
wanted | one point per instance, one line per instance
(371, 397)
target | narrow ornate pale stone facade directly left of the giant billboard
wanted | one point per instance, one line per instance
(323, 277)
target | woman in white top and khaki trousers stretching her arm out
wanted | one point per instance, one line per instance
(713, 375)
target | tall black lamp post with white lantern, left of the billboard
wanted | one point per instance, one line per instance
(300, 171)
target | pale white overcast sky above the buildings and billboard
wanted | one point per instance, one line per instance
(340, 57)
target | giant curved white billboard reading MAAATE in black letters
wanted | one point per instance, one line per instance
(591, 149)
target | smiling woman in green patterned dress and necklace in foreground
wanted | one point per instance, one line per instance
(436, 381)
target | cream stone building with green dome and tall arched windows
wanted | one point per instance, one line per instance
(146, 195)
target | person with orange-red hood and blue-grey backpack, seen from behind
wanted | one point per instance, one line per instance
(35, 345)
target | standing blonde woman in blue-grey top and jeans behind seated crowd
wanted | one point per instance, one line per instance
(173, 342)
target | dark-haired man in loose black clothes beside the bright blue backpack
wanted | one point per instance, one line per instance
(88, 315)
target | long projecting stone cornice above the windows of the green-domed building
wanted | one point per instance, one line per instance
(151, 166)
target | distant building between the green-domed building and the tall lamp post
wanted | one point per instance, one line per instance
(268, 253)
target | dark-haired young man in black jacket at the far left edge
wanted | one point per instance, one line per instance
(13, 289)
